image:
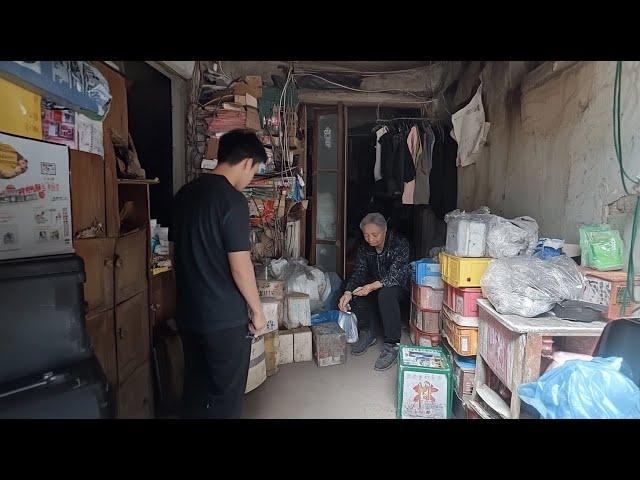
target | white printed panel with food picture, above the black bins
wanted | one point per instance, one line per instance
(35, 198)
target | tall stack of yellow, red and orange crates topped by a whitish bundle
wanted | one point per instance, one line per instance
(462, 266)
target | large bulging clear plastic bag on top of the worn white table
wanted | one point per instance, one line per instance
(528, 286)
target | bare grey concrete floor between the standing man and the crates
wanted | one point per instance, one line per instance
(304, 390)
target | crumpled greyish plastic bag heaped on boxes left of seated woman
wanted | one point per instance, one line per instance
(299, 277)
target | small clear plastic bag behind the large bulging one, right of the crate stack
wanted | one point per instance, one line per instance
(510, 238)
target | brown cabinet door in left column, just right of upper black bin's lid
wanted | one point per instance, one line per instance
(97, 254)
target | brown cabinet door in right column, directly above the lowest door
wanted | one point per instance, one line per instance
(132, 335)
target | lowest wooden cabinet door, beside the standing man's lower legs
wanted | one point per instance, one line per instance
(135, 395)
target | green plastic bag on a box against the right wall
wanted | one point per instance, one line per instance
(602, 247)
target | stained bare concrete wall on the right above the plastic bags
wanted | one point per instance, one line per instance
(550, 152)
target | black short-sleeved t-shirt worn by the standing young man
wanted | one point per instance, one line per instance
(211, 220)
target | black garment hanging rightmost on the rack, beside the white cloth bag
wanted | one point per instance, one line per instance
(443, 179)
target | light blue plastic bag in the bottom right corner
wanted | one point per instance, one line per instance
(596, 389)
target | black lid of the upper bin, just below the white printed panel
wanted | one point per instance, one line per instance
(41, 266)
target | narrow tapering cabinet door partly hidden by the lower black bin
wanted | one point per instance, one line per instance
(102, 332)
